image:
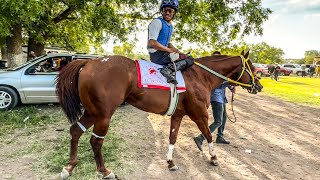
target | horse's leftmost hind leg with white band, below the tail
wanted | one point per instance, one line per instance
(76, 130)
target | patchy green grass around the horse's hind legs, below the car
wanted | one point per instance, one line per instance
(32, 130)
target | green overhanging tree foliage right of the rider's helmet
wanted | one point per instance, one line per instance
(218, 23)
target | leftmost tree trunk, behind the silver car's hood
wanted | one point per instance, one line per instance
(14, 45)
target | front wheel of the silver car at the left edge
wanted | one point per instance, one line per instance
(8, 98)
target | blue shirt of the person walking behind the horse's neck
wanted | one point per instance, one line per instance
(219, 94)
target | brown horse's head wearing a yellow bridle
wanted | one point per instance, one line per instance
(246, 76)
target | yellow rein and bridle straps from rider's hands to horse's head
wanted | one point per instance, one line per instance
(244, 63)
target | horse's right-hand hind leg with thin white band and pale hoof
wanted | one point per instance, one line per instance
(99, 131)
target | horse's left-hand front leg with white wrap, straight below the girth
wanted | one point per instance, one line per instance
(174, 129)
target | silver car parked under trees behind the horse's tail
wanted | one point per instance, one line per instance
(34, 81)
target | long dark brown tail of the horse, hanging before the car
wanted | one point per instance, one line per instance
(67, 90)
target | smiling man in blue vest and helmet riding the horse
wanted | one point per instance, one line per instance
(159, 34)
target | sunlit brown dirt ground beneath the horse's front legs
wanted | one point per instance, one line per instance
(284, 140)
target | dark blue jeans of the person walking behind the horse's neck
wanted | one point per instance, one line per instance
(220, 118)
